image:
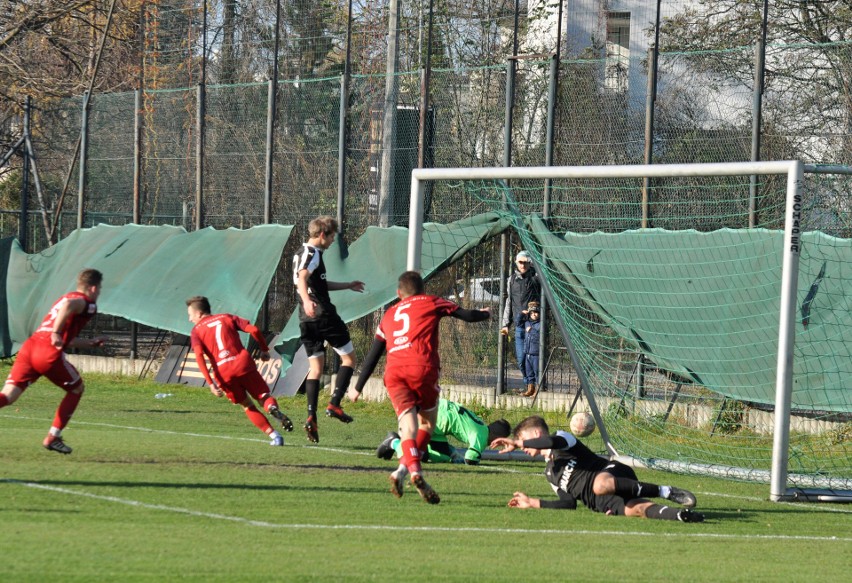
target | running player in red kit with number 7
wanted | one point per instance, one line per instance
(234, 372)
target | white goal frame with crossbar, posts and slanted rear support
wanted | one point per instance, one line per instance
(794, 171)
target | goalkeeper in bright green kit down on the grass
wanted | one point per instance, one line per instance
(458, 422)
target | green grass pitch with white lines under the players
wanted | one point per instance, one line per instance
(185, 488)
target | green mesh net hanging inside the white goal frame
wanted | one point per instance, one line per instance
(676, 326)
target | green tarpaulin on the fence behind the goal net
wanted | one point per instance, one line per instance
(706, 305)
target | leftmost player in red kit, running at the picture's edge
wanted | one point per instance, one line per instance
(42, 354)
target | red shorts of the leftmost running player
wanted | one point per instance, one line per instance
(37, 358)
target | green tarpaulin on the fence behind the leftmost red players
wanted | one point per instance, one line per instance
(148, 273)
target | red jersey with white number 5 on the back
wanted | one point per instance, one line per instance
(410, 330)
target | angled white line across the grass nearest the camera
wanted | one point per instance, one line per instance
(368, 527)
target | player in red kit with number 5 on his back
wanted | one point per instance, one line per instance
(409, 333)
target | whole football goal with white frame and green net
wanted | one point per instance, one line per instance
(705, 308)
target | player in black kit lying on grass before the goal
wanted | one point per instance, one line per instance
(576, 473)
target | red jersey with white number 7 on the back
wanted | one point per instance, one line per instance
(218, 337)
